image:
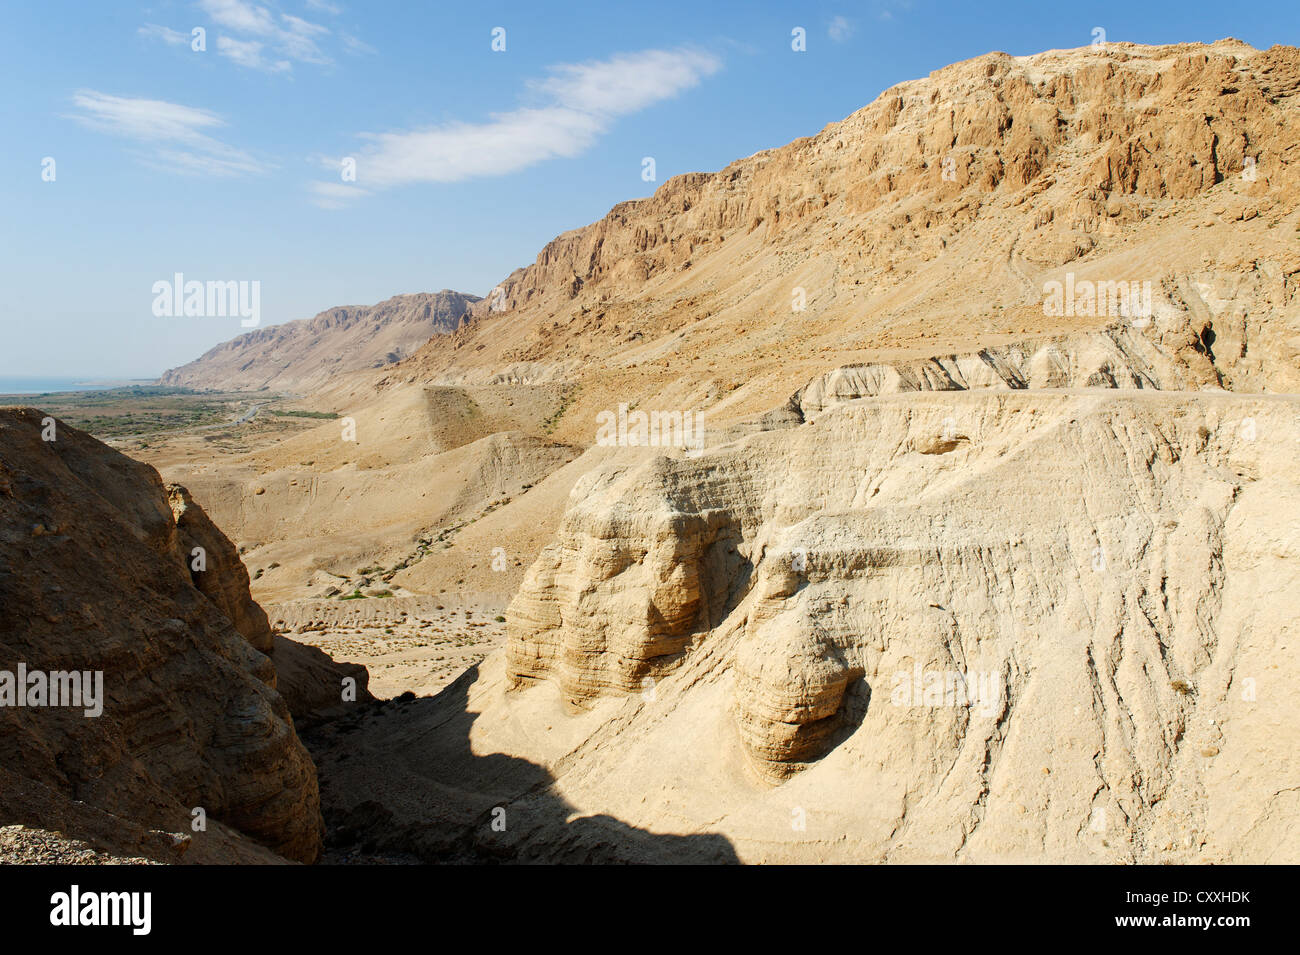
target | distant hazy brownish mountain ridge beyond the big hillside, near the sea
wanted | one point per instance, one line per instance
(298, 357)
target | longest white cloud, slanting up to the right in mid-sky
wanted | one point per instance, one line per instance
(579, 102)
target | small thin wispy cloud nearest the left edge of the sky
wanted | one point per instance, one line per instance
(176, 137)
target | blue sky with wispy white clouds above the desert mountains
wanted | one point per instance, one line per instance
(226, 164)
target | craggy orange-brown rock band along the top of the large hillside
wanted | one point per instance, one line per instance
(1087, 134)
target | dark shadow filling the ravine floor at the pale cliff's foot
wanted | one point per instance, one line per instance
(400, 783)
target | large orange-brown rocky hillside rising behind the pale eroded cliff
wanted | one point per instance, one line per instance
(930, 222)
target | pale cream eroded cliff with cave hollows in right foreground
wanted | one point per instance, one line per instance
(1003, 626)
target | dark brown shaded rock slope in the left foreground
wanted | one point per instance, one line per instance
(99, 575)
